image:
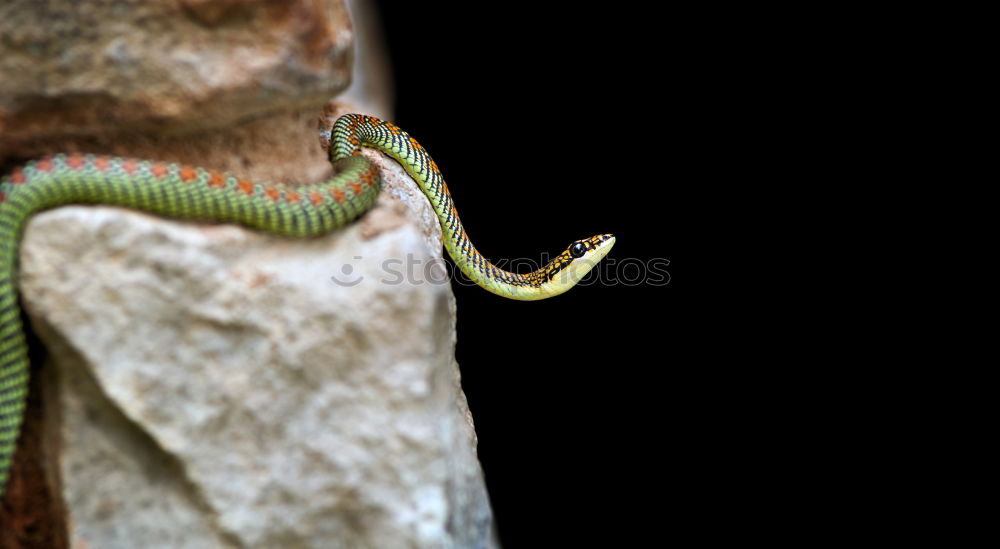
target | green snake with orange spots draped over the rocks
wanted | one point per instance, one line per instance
(187, 192)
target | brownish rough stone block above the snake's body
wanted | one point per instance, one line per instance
(108, 67)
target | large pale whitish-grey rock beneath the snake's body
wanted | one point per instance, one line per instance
(214, 387)
